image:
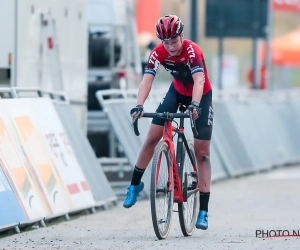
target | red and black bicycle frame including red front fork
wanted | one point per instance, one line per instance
(176, 161)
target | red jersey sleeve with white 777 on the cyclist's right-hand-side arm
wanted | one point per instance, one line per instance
(195, 58)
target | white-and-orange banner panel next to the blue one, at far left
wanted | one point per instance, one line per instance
(18, 169)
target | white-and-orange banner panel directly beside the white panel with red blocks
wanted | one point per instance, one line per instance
(34, 148)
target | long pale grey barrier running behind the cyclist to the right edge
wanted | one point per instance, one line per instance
(253, 130)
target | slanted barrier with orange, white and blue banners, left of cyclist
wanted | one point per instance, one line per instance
(47, 167)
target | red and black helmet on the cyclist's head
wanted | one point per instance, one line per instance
(168, 27)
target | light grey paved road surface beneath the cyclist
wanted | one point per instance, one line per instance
(238, 208)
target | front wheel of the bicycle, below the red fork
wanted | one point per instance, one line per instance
(161, 225)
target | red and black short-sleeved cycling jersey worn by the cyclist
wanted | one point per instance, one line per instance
(182, 67)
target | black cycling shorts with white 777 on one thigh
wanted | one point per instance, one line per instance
(204, 123)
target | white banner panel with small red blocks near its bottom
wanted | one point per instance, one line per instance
(61, 152)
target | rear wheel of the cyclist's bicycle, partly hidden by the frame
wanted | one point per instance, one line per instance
(188, 210)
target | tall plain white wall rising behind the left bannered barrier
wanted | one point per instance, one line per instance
(32, 70)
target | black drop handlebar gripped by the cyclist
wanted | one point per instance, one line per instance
(166, 116)
